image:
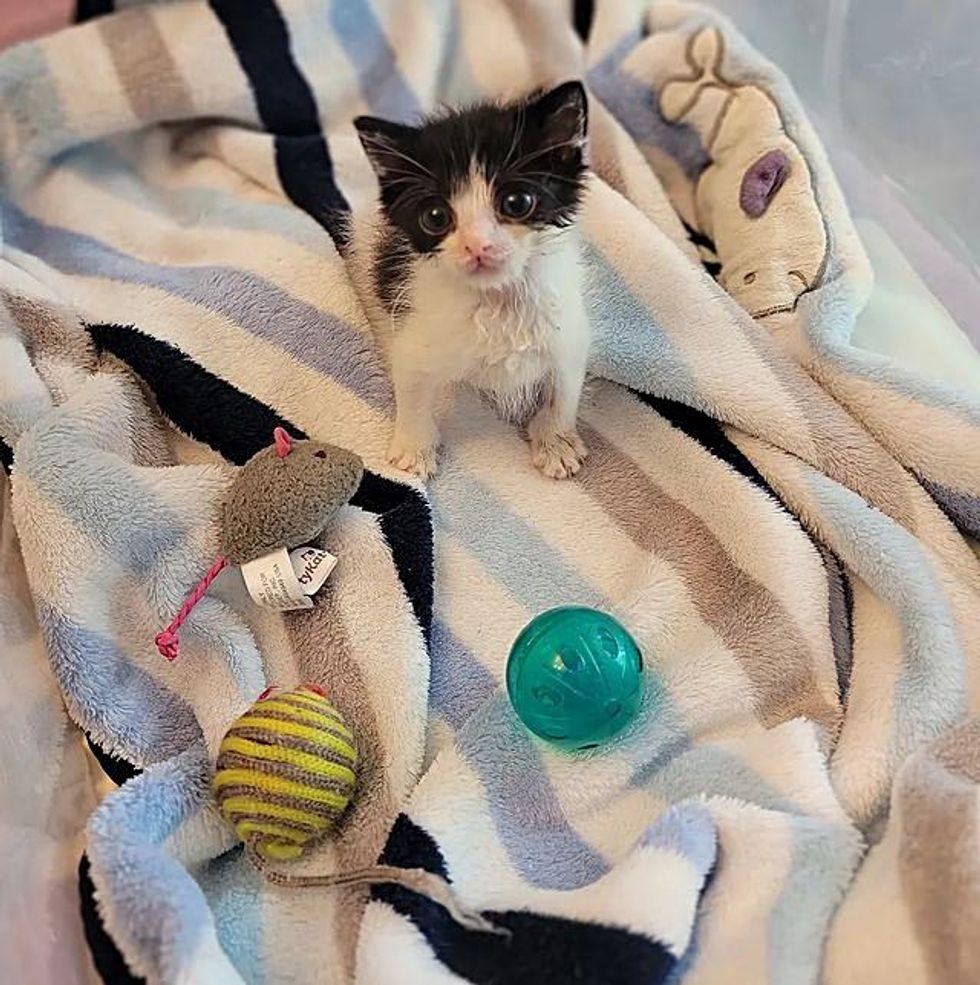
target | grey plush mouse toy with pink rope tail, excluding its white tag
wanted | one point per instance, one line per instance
(284, 497)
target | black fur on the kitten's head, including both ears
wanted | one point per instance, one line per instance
(535, 146)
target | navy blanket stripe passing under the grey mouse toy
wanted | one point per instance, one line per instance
(236, 425)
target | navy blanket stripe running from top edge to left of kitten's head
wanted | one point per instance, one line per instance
(259, 36)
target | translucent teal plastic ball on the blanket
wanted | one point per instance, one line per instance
(575, 677)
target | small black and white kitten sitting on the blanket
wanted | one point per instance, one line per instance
(475, 266)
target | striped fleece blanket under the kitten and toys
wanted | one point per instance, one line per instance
(783, 521)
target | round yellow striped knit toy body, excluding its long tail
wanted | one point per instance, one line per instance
(285, 773)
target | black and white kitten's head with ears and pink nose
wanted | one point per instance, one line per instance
(480, 190)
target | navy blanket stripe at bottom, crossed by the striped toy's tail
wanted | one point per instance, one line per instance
(546, 950)
